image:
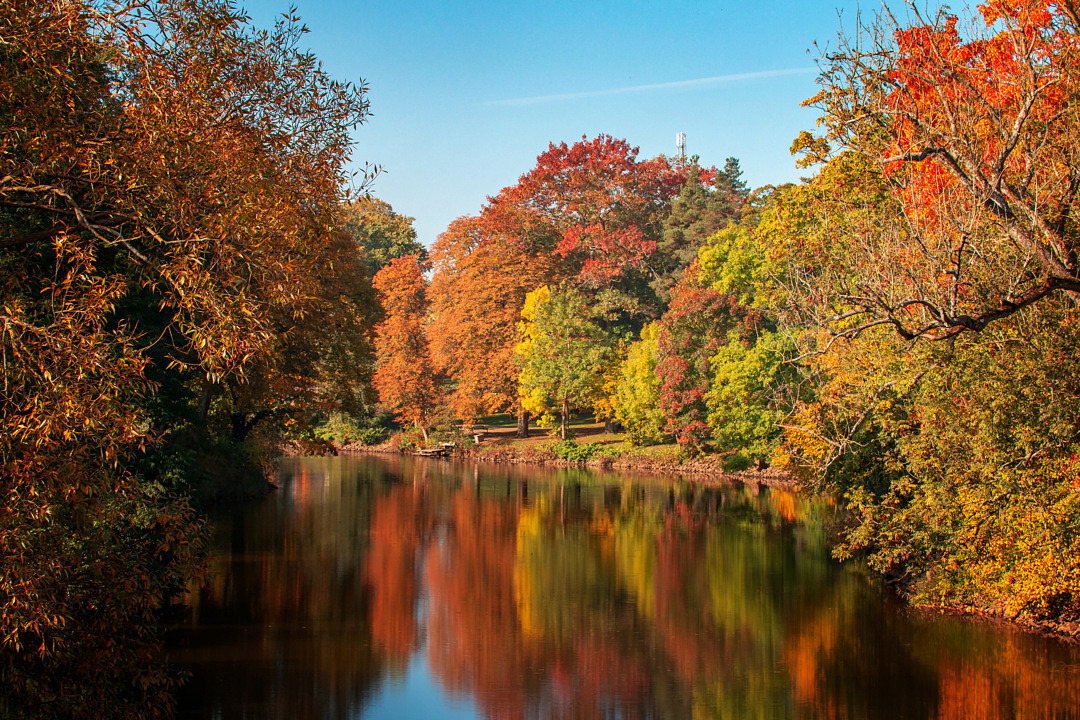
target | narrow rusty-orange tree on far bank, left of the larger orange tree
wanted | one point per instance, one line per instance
(404, 376)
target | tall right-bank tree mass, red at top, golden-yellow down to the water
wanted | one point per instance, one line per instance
(944, 211)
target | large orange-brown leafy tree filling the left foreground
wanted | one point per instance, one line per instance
(157, 158)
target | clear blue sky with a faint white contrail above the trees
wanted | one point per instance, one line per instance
(465, 96)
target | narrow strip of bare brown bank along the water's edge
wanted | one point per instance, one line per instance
(708, 471)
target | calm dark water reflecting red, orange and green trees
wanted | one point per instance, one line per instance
(371, 588)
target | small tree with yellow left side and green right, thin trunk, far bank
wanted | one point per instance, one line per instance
(563, 354)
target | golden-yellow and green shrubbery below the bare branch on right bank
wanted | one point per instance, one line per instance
(990, 505)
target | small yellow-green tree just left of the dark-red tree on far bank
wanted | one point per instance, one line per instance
(638, 396)
